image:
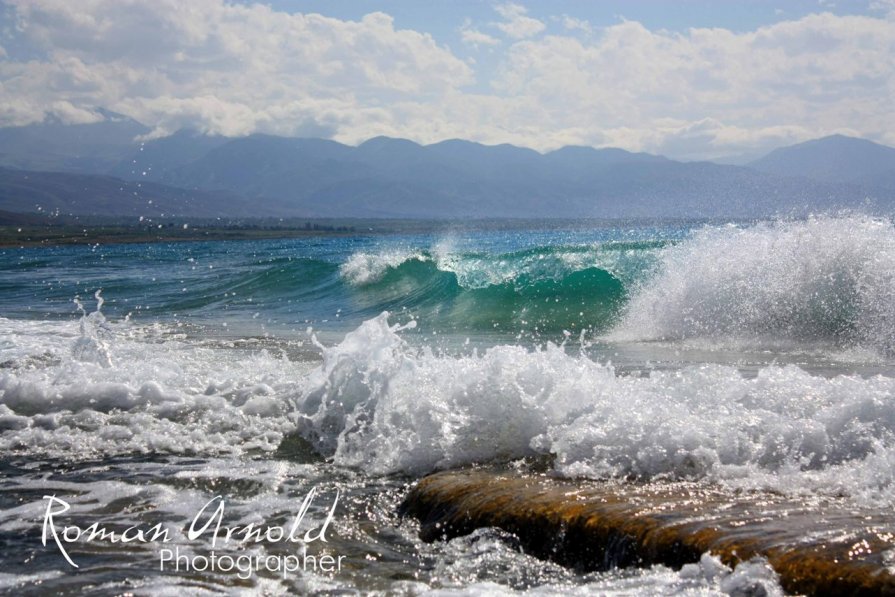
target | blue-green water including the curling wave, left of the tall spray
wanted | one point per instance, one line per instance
(468, 282)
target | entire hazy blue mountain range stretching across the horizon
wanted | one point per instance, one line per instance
(100, 169)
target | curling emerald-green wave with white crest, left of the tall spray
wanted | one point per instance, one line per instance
(545, 289)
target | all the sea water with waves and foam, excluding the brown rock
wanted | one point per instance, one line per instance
(138, 382)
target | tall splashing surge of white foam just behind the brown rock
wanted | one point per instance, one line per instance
(379, 404)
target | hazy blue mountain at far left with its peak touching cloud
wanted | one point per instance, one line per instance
(86, 148)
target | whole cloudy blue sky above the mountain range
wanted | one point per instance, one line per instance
(688, 79)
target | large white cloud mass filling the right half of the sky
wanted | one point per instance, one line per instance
(821, 74)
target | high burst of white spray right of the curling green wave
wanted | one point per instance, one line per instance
(829, 280)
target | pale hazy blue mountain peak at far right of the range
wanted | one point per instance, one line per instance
(833, 159)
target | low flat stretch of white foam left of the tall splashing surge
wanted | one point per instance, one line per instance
(149, 395)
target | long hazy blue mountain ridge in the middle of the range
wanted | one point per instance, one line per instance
(387, 177)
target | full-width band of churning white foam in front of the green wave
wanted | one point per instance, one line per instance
(381, 405)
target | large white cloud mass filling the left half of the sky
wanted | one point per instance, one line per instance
(223, 68)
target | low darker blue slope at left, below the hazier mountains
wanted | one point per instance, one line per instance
(59, 193)
